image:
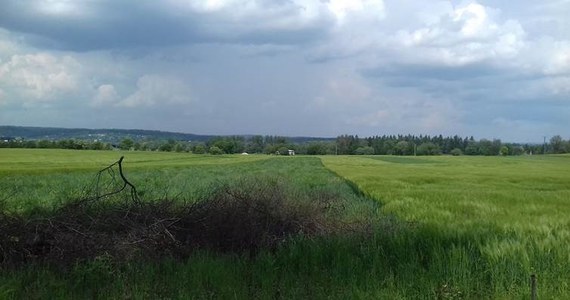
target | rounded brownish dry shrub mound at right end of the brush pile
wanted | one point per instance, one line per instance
(252, 215)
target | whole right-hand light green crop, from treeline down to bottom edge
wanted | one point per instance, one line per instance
(507, 216)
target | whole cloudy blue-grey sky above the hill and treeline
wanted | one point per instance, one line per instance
(488, 69)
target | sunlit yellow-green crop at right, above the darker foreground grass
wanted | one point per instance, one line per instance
(465, 192)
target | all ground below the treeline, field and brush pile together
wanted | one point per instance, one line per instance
(288, 227)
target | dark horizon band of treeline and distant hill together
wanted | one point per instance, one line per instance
(143, 140)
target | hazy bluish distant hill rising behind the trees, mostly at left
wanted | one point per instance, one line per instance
(112, 135)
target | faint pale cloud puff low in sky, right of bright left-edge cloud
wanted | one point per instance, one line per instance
(153, 90)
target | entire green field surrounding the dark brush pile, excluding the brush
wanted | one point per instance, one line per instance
(444, 227)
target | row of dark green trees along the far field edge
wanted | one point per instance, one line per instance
(342, 145)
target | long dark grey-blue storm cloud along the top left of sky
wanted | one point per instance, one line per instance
(96, 25)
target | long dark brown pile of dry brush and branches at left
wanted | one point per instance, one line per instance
(243, 217)
